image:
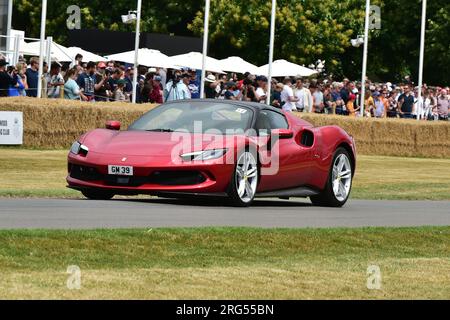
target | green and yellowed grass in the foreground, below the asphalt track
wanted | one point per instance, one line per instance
(228, 263)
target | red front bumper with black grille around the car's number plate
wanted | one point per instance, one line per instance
(151, 176)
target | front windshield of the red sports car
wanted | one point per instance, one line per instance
(196, 117)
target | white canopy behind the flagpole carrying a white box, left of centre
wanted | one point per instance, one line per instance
(147, 57)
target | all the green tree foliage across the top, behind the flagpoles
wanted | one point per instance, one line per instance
(306, 30)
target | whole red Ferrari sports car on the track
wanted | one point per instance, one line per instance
(234, 149)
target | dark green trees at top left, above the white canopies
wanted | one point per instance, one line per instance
(157, 16)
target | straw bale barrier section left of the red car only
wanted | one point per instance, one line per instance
(55, 123)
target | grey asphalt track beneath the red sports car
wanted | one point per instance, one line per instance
(156, 212)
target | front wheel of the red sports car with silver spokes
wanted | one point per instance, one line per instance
(244, 181)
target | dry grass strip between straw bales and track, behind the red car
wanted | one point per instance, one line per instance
(41, 173)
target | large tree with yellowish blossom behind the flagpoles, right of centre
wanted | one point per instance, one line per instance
(305, 30)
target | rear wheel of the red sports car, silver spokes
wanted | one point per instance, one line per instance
(339, 183)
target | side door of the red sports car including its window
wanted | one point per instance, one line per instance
(283, 161)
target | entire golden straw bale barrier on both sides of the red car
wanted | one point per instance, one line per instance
(57, 123)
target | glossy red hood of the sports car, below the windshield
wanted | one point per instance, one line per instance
(142, 143)
